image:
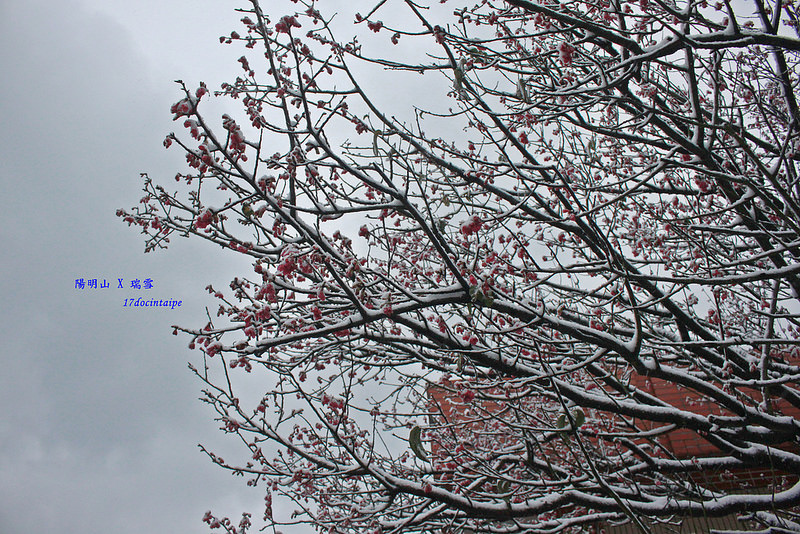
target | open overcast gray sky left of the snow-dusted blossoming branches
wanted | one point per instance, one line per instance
(100, 423)
